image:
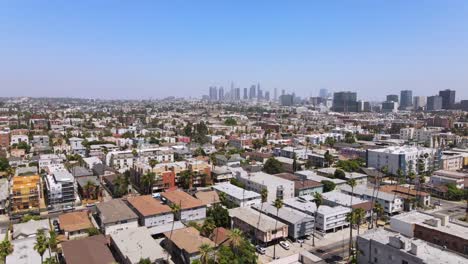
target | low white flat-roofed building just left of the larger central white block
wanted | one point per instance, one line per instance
(237, 195)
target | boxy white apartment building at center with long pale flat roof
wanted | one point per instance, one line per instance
(276, 186)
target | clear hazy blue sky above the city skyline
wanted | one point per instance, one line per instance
(143, 49)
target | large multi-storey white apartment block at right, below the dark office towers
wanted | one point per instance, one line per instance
(406, 158)
